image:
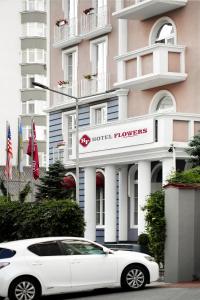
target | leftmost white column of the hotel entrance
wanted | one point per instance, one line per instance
(90, 203)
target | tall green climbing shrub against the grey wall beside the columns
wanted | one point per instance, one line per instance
(156, 224)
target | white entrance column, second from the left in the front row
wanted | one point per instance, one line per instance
(110, 204)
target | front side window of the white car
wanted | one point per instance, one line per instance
(77, 247)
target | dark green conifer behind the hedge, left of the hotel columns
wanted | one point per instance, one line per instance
(52, 185)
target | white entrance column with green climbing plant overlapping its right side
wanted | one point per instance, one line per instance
(144, 190)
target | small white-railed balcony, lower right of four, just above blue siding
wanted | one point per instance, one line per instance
(94, 84)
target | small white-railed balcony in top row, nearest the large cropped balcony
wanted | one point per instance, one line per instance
(95, 23)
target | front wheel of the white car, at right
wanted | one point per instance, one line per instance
(134, 277)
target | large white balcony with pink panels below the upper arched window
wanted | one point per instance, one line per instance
(151, 67)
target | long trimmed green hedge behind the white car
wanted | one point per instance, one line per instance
(47, 218)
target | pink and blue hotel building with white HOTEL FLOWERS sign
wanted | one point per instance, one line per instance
(133, 66)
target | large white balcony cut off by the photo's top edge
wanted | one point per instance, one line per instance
(144, 9)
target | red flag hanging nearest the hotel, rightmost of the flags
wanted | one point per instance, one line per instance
(32, 151)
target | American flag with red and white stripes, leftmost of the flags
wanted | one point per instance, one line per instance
(9, 153)
